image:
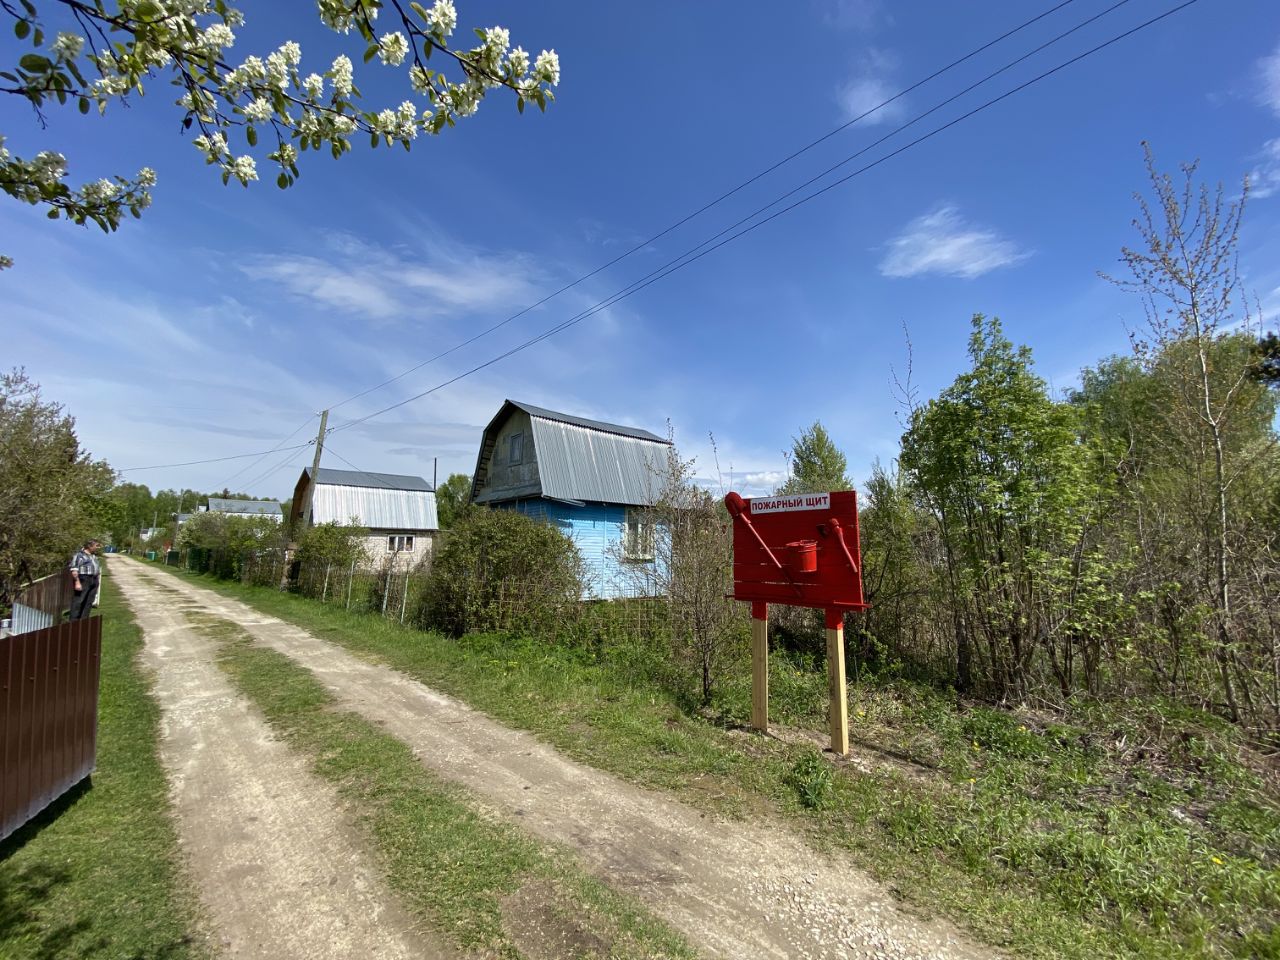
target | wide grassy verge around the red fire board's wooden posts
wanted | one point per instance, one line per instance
(1124, 830)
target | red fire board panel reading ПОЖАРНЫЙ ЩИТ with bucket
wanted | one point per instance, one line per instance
(798, 550)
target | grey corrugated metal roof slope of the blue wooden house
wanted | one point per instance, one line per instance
(586, 464)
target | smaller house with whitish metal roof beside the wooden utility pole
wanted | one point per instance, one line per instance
(397, 510)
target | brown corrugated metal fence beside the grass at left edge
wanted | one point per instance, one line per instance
(49, 683)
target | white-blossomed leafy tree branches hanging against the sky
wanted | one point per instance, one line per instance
(112, 53)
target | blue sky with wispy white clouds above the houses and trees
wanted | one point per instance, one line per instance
(227, 317)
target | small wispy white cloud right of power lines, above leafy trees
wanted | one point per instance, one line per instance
(943, 243)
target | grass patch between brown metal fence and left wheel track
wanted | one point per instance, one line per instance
(98, 876)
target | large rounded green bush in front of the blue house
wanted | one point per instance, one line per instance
(502, 572)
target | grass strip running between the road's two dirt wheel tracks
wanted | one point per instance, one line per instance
(481, 883)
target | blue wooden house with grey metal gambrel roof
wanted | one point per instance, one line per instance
(591, 479)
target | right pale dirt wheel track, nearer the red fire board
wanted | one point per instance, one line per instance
(734, 890)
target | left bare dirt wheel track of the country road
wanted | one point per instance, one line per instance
(281, 874)
